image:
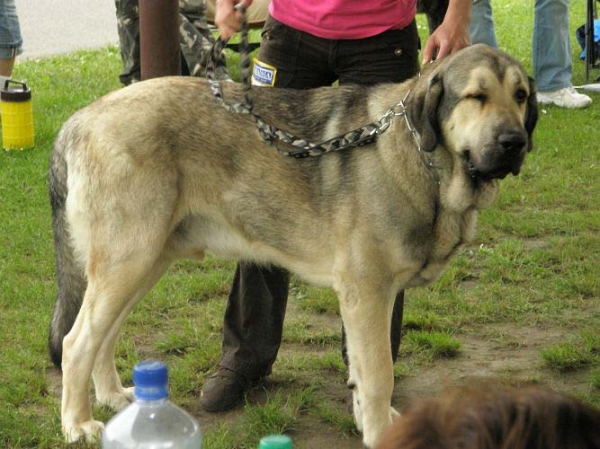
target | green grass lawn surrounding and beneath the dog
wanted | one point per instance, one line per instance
(528, 284)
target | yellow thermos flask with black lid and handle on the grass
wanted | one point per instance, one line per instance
(17, 116)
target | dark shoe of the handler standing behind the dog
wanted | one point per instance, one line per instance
(225, 389)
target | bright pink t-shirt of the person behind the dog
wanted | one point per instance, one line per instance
(344, 19)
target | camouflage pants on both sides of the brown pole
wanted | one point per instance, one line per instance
(196, 39)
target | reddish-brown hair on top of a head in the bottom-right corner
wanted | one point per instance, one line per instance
(494, 418)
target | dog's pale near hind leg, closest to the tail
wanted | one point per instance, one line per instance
(113, 287)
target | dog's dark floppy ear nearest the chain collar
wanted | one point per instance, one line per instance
(424, 112)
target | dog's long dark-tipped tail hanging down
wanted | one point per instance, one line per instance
(70, 272)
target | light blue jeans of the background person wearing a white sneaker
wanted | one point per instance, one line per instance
(552, 63)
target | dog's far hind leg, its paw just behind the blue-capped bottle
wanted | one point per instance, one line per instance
(109, 390)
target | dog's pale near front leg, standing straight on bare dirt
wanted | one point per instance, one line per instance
(366, 310)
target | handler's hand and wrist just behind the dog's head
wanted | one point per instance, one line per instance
(452, 34)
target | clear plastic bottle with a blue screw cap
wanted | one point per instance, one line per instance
(152, 421)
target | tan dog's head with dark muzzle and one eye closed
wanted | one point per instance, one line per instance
(480, 104)
